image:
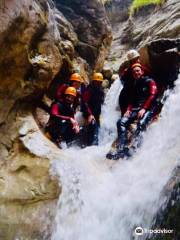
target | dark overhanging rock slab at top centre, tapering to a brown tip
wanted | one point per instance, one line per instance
(92, 28)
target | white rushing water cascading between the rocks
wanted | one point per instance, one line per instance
(98, 202)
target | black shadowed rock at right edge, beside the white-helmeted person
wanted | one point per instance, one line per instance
(162, 56)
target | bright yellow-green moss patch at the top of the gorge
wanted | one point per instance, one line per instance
(137, 4)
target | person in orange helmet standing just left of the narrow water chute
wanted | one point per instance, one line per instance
(93, 98)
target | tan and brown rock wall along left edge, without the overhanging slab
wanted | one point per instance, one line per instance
(26, 186)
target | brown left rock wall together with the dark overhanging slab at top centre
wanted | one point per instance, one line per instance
(37, 43)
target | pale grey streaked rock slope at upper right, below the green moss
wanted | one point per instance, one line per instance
(161, 22)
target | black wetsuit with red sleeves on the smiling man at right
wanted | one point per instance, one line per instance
(144, 93)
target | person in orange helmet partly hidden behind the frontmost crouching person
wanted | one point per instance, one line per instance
(74, 81)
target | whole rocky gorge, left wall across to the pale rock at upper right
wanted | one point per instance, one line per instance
(41, 44)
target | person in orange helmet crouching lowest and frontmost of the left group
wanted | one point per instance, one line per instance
(62, 124)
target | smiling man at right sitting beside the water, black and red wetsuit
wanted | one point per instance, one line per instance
(139, 109)
